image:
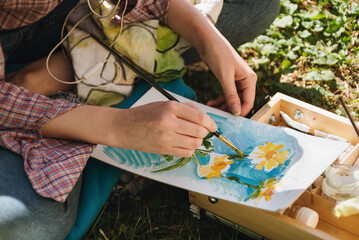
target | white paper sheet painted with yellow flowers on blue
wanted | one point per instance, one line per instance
(278, 164)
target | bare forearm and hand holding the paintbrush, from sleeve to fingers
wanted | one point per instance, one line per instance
(161, 127)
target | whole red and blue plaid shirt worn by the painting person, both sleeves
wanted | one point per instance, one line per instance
(52, 165)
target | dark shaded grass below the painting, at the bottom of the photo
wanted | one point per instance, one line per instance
(158, 212)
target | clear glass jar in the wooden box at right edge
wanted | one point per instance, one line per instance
(341, 182)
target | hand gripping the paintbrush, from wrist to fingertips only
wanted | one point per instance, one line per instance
(168, 127)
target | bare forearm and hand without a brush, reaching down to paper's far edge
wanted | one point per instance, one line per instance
(237, 79)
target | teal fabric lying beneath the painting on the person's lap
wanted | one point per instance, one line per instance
(99, 178)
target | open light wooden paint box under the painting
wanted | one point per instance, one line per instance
(281, 226)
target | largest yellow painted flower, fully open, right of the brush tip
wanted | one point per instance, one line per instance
(268, 156)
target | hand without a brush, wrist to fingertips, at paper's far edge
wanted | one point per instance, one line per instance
(237, 79)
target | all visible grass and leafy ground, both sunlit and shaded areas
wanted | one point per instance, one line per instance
(311, 52)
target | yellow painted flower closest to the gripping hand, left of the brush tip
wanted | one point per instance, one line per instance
(215, 168)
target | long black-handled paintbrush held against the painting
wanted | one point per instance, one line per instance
(141, 73)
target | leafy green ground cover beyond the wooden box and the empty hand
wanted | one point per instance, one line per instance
(310, 52)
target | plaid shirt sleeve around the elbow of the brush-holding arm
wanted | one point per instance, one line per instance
(52, 165)
